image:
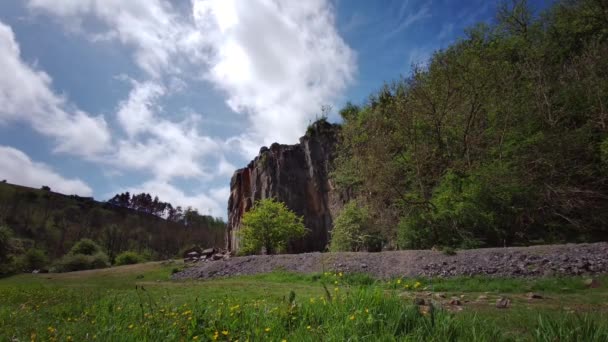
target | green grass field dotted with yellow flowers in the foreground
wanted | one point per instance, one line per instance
(140, 303)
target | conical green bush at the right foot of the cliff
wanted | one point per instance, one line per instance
(352, 230)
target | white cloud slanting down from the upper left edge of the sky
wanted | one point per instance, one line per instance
(26, 95)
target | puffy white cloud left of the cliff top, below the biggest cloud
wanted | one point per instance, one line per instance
(165, 148)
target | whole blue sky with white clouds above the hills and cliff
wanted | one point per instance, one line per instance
(98, 97)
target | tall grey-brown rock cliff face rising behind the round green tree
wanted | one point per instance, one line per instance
(297, 175)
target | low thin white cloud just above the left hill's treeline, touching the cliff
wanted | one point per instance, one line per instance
(212, 203)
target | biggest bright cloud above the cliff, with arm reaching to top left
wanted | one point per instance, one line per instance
(276, 61)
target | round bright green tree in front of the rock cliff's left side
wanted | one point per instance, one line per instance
(270, 225)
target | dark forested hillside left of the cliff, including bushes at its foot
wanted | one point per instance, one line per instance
(38, 227)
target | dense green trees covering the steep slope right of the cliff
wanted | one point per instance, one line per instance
(500, 139)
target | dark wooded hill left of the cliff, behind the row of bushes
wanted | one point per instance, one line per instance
(53, 222)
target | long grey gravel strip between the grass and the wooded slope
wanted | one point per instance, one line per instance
(570, 259)
